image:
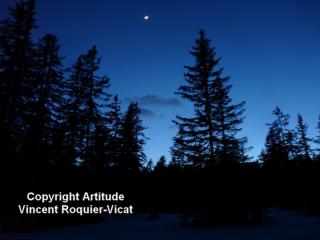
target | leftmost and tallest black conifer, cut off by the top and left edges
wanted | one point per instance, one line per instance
(16, 95)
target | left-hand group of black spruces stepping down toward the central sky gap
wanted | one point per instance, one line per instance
(58, 125)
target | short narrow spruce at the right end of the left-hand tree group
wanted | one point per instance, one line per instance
(133, 140)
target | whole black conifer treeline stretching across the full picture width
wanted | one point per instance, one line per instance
(61, 130)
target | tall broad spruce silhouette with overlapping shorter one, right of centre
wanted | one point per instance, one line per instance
(212, 131)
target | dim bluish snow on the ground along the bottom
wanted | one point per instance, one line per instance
(282, 225)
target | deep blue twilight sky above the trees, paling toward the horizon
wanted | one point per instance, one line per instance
(269, 48)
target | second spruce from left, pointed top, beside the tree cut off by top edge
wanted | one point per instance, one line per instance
(49, 92)
